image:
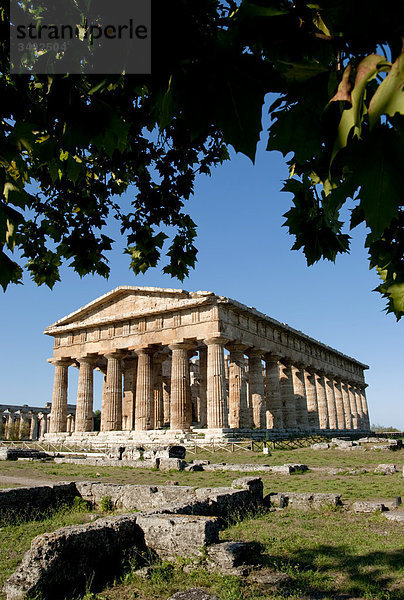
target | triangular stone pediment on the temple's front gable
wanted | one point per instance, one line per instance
(128, 302)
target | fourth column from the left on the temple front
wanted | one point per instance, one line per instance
(144, 391)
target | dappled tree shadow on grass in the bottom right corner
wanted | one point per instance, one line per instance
(337, 572)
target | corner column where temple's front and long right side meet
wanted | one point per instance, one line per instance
(216, 384)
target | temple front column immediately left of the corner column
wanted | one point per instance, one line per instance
(180, 409)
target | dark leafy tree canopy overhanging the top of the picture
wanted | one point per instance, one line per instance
(337, 68)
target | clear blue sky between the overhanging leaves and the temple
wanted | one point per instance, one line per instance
(244, 253)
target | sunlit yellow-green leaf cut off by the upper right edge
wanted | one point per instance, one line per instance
(389, 96)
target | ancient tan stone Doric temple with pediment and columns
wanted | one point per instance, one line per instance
(175, 361)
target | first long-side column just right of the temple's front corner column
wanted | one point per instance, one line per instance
(239, 414)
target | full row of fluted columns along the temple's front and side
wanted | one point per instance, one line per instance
(283, 396)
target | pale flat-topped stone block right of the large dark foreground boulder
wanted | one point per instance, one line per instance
(178, 535)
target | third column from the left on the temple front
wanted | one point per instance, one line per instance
(111, 420)
